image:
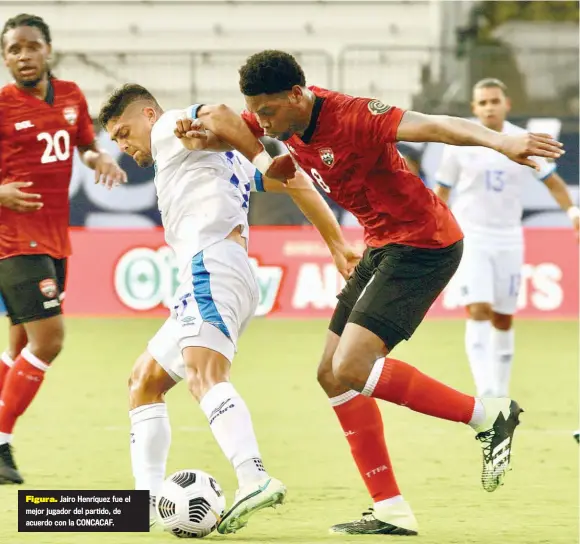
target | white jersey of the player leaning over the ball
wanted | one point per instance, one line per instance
(202, 195)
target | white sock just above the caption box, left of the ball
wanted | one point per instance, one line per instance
(150, 441)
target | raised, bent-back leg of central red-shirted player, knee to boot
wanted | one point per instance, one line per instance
(358, 364)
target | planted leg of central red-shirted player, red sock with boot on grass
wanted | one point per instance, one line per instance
(362, 424)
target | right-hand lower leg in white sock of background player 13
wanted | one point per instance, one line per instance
(502, 352)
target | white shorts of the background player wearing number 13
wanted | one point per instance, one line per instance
(490, 275)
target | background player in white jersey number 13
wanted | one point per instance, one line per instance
(488, 205)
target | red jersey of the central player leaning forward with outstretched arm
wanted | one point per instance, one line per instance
(349, 150)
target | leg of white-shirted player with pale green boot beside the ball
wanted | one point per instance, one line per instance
(207, 375)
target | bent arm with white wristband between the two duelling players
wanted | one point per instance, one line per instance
(219, 128)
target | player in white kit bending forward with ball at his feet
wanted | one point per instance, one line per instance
(203, 198)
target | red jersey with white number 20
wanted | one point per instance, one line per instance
(37, 142)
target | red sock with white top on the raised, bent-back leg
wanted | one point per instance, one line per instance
(400, 383)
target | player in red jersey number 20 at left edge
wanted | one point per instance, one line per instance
(42, 120)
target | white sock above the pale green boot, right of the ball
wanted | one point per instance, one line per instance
(231, 425)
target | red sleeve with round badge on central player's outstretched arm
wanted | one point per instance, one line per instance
(372, 122)
